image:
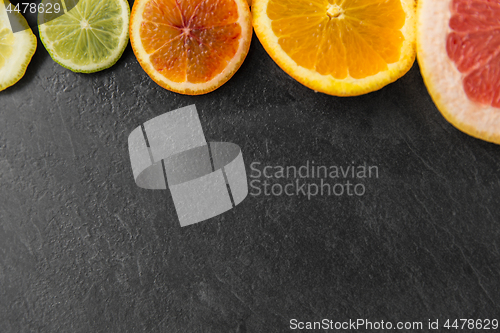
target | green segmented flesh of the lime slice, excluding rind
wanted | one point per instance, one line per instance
(88, 33)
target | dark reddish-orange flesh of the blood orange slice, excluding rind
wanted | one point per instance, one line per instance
(190, 40)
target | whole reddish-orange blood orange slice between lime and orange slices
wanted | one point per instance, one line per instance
(190, 46)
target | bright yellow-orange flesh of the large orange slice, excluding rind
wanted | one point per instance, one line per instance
(358, 38)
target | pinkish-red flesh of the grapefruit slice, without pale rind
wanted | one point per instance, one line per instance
(474, 47)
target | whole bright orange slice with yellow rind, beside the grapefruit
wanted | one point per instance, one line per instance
(338, 47)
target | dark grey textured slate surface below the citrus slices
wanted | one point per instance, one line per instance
(82, 249)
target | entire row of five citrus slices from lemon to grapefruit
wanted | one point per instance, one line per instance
(338, 47)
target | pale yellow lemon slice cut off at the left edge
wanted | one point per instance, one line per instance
(16, 49)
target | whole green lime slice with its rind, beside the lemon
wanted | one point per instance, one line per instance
(88, 38)
